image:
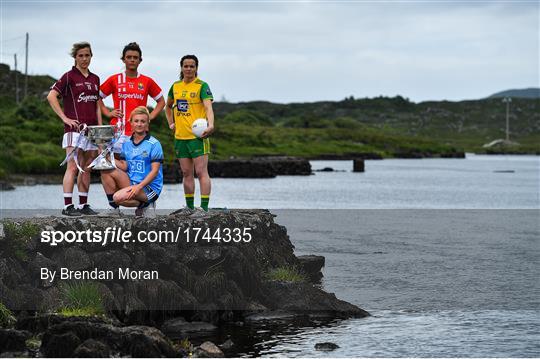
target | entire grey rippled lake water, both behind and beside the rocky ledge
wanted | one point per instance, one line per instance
(444, 253)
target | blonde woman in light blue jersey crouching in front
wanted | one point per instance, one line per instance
(138, 180)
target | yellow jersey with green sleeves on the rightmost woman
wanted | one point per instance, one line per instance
(188, 105)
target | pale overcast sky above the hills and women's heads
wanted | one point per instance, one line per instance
(293, 51)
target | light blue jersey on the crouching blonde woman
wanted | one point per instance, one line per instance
(139, 158)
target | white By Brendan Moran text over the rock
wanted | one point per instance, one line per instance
(97, 274)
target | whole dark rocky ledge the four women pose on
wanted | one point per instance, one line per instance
(202, 286)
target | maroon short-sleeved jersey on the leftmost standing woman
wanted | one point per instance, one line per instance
(79, 96)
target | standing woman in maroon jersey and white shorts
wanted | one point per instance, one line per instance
(79, 90)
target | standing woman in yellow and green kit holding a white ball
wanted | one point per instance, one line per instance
(190, 99)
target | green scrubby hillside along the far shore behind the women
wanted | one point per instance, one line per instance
(381, 127)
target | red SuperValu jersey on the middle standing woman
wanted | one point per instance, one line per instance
(128, 93)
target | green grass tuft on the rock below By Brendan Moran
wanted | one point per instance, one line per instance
(81, 299)
